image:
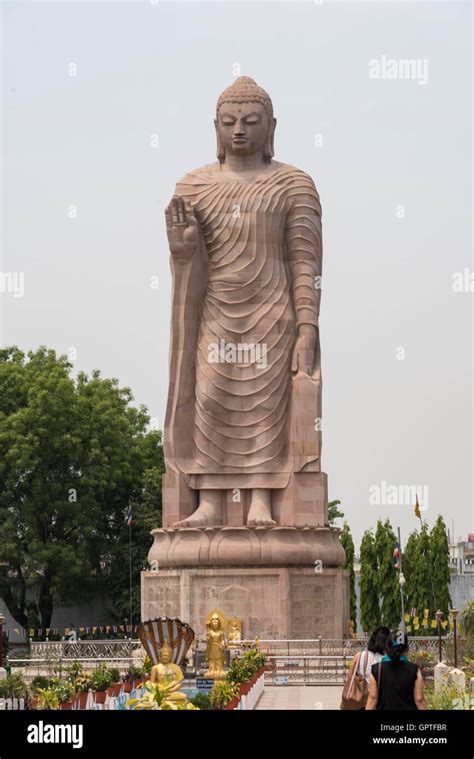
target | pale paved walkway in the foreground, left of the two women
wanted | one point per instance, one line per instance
(300, 697)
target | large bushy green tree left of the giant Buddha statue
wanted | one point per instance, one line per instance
(72, 454)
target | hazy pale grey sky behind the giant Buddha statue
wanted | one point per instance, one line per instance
(394, 173)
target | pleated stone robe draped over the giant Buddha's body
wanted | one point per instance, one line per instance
(263, 244)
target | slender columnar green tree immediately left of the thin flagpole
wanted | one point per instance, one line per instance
(387, 576)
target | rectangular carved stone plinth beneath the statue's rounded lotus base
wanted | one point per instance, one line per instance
(272, 602)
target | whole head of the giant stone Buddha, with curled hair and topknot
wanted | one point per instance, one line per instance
(244, 122)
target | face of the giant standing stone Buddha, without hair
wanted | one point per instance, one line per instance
(243, 128)
